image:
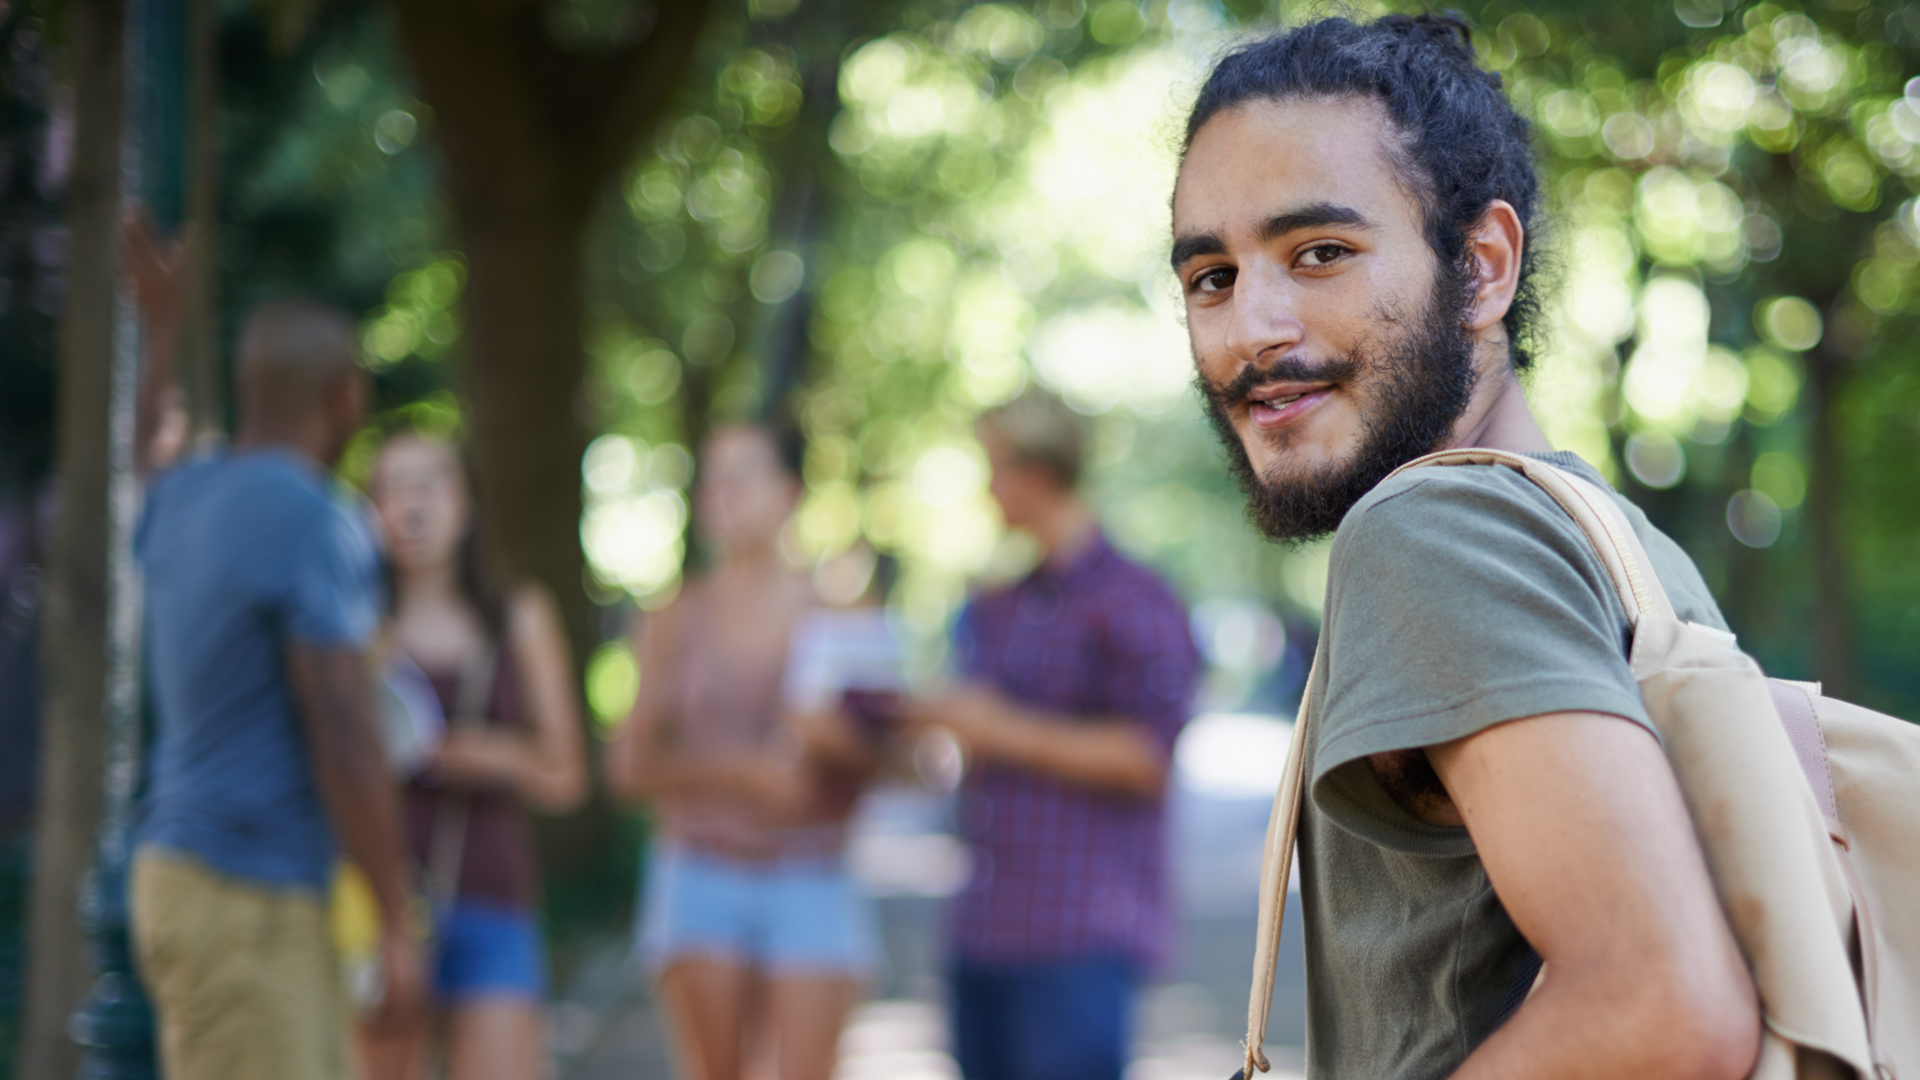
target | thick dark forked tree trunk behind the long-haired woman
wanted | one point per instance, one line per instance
(531, 135)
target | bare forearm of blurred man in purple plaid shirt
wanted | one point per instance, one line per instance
(1109, 754)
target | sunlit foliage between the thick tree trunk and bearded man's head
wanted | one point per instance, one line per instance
(953, 235)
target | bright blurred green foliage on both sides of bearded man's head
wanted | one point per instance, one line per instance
(1729, 222)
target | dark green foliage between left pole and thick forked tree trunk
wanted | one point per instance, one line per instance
(327, 185)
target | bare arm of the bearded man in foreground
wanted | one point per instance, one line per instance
(1589, 843)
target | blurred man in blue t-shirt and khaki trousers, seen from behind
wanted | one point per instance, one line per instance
(260, 601)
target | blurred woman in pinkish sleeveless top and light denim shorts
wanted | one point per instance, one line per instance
(752, 920)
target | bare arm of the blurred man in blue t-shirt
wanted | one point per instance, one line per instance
(335, 704)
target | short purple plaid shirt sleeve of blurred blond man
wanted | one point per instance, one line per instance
(1151, 664)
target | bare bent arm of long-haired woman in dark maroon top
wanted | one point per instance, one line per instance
(544, 768)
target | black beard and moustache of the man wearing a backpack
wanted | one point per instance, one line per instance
(1416, 389)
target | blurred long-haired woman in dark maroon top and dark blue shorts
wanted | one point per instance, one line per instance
(498, 679)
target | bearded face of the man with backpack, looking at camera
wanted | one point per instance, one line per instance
(1330, 343)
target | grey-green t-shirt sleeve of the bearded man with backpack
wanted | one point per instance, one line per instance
(1462, 601)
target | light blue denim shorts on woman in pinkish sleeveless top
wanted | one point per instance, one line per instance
(782, 918)
